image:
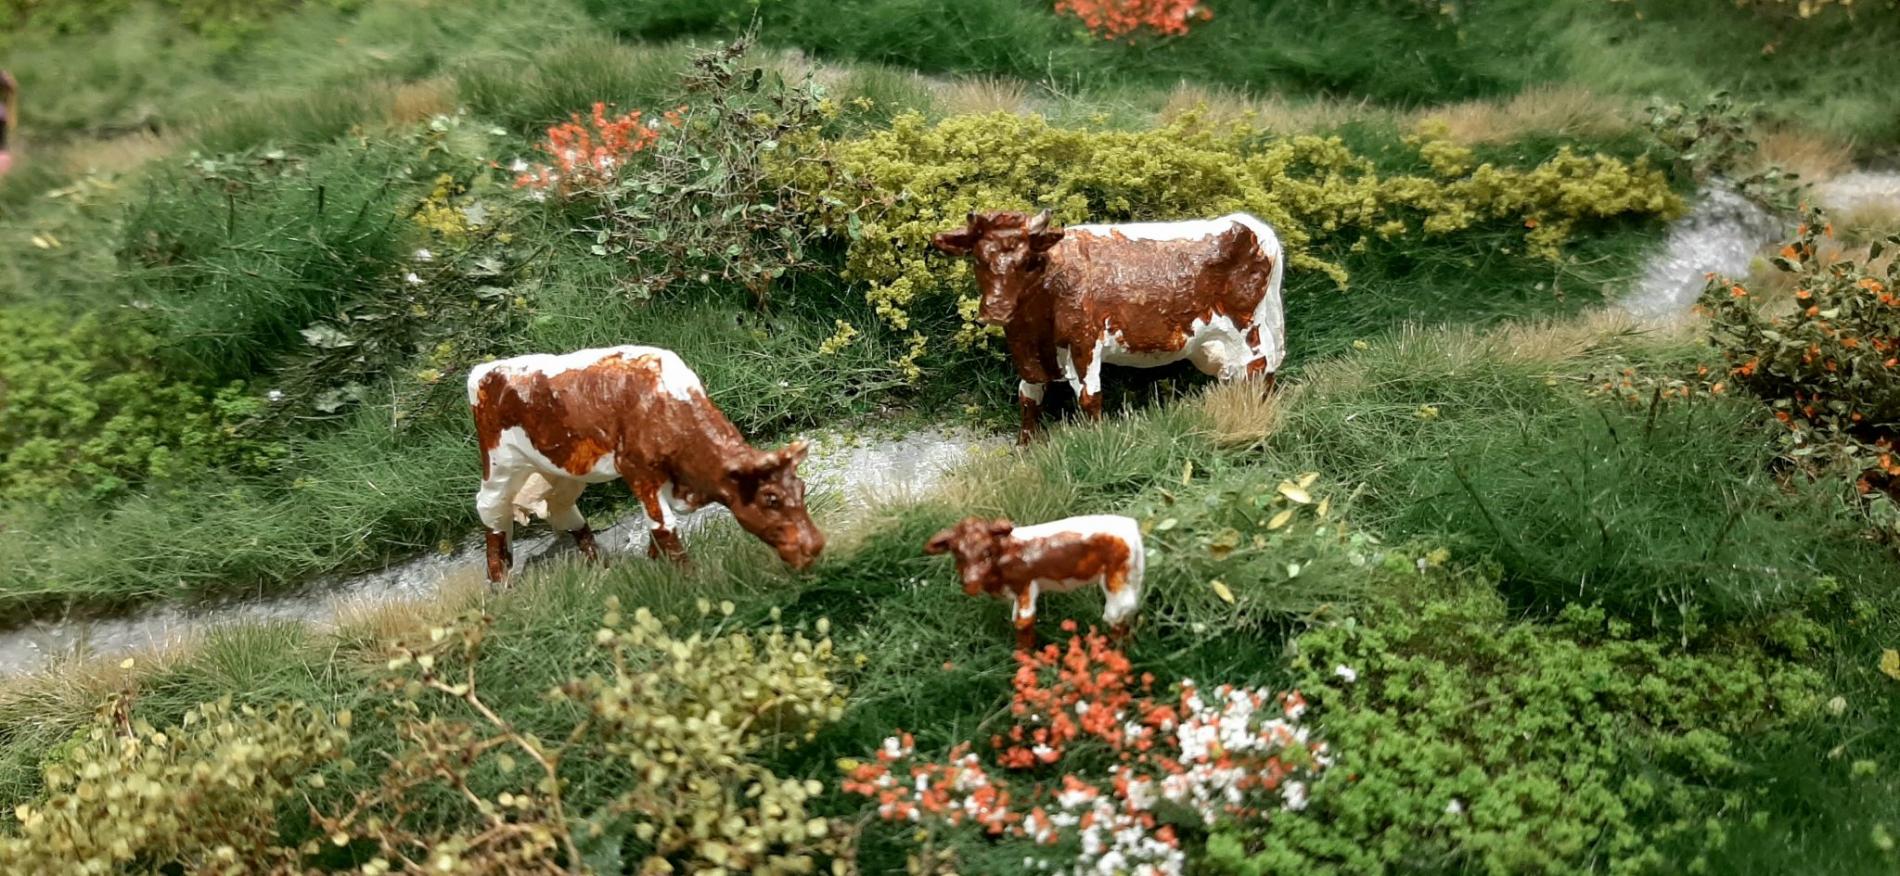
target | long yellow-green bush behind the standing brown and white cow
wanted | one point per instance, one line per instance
(890, 191)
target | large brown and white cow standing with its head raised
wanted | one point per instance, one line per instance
(1147, 294)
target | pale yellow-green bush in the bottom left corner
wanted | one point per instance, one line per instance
(202, 795)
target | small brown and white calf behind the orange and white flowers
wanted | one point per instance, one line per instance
(1019, 563)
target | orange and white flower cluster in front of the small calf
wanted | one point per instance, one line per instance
(1232, 755)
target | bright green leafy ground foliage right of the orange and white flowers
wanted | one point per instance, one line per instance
(1468, 740)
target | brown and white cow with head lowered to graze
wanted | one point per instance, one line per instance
(630, 413)
